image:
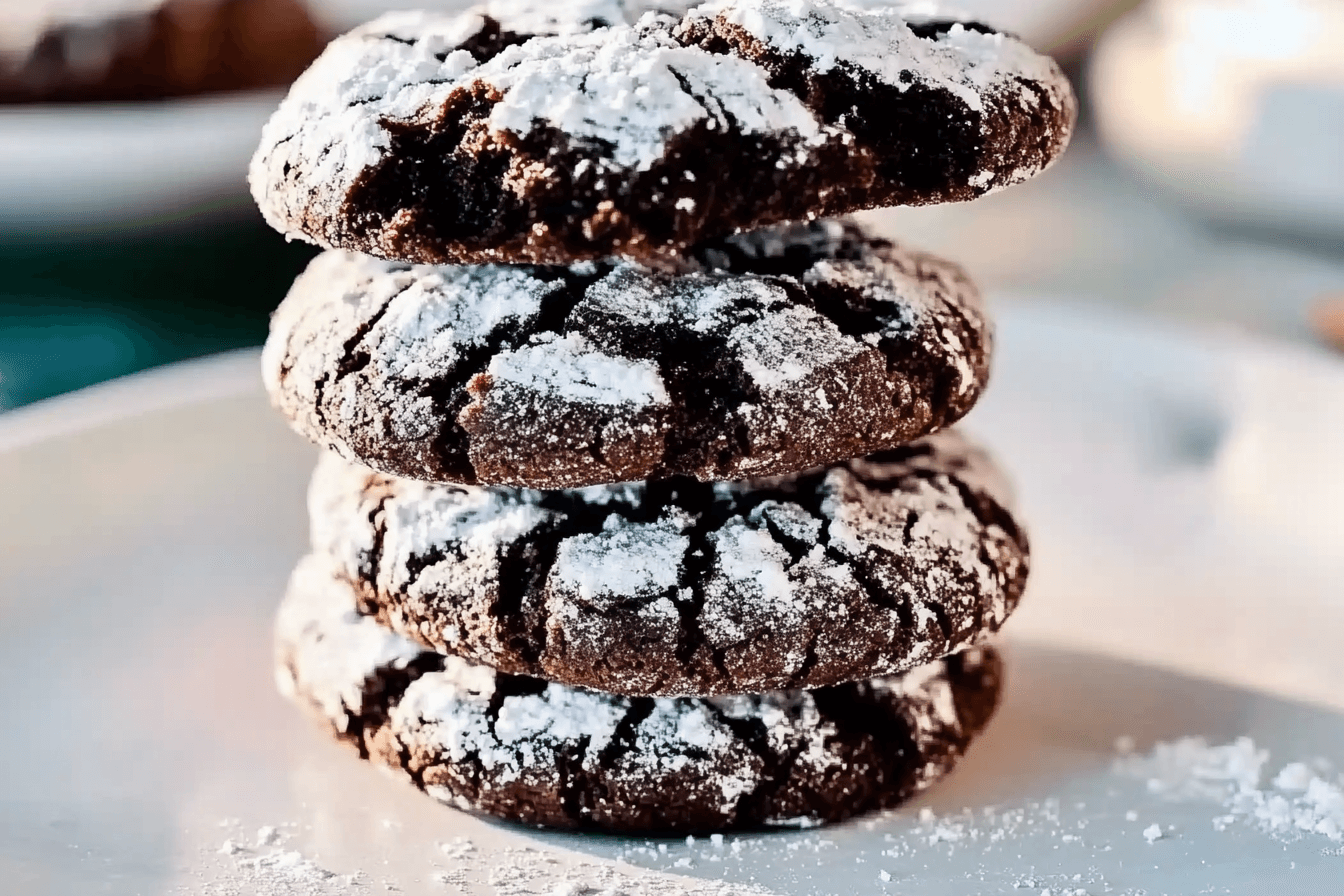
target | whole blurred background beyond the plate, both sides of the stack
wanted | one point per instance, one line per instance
(1206, 182)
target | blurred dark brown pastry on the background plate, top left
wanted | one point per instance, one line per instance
(118, 50)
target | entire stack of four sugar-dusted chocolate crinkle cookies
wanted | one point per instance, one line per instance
(640, 511)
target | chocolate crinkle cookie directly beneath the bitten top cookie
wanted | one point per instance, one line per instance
(790, 349)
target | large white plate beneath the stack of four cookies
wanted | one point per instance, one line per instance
(1183, 498)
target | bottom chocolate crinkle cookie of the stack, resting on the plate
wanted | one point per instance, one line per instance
(546, 754)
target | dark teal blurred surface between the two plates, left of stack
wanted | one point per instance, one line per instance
(76, 311)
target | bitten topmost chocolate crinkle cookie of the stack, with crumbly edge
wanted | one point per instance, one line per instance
(507, 135)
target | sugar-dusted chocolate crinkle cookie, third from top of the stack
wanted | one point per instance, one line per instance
(679, 588)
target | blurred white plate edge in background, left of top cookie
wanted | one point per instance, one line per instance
(88, 167)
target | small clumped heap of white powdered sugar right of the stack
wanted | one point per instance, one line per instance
(1302, 800)
